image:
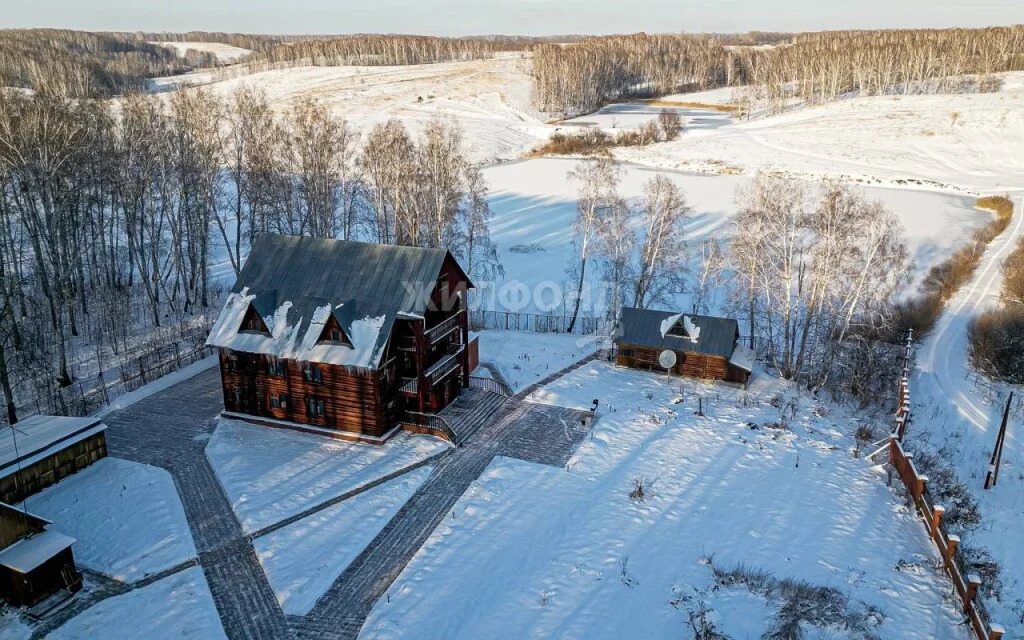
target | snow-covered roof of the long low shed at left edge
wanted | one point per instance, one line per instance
(40, 437)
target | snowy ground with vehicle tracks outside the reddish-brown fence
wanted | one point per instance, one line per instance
(960, 412)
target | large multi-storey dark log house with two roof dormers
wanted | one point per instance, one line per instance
(344, 338)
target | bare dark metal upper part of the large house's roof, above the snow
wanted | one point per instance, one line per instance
(371, 280)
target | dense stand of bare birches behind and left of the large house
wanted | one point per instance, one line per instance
(113, 215)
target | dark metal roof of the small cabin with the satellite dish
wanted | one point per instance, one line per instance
(644, 328)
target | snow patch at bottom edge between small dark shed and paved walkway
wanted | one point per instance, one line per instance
(176, 608)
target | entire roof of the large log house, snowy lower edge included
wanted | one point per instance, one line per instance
(296, 284)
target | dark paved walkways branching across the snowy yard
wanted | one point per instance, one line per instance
(170, 431)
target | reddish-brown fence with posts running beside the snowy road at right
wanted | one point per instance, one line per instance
(965, 584)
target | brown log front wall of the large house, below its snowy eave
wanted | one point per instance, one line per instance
(350, 396)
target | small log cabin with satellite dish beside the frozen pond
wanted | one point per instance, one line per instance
(705, 347)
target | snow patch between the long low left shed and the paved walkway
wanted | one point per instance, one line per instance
(126, 517)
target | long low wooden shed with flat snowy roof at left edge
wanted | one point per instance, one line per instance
(41, 451)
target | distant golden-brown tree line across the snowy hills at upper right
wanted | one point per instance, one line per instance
(816, 68)
